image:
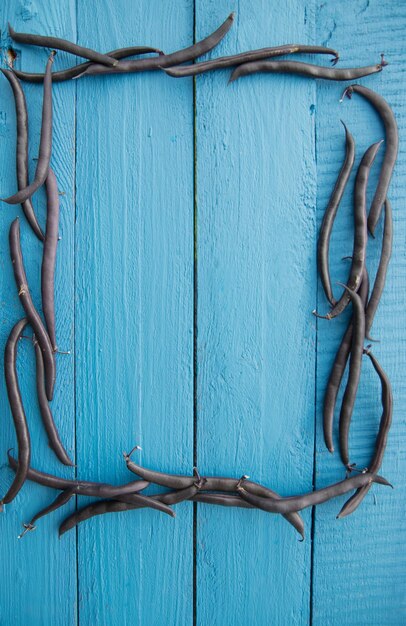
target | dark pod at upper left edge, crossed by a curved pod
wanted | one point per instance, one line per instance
(22, 150)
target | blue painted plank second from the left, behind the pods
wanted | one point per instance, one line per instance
(134, 311)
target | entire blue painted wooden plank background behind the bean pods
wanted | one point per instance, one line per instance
(185, 283)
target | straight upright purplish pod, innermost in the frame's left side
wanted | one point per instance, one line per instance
(49, 256)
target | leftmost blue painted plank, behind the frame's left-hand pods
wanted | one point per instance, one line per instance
(38, 573)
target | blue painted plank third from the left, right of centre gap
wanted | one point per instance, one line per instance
(256, 197)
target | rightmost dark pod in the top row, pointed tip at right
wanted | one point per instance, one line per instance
(304, 69)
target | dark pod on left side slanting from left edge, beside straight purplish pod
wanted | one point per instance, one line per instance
(29, 308)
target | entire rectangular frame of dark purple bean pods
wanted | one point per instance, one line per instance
(231, 492)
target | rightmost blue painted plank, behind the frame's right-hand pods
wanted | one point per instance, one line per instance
(360, 562)
